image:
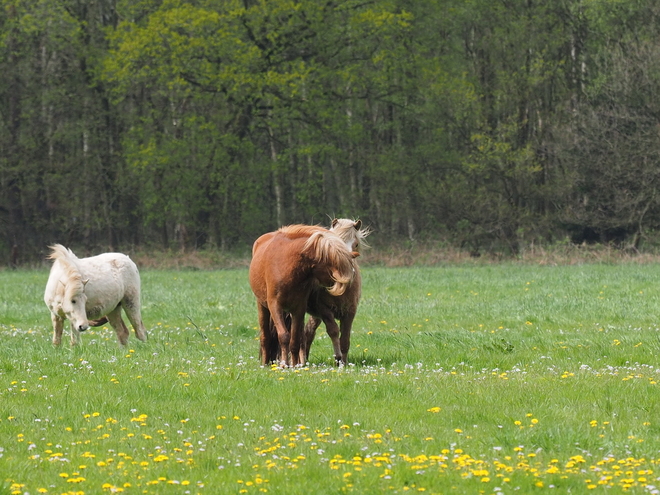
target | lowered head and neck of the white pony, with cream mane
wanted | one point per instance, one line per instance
(72, 288)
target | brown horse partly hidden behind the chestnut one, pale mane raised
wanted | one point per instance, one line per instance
(323, 306)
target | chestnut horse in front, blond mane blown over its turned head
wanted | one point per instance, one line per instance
(287, 265)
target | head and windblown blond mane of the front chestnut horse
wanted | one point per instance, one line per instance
(328, 249)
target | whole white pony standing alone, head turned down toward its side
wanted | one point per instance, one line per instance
(79, 289)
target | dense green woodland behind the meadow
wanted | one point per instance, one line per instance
(486, 124)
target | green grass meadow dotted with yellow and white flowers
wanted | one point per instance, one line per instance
(462, 379)
